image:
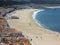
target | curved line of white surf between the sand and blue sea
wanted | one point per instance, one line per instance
(38, 23)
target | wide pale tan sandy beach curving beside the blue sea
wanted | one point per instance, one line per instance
(27, 25)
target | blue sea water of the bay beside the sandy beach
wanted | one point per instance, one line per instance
(49, 18)
